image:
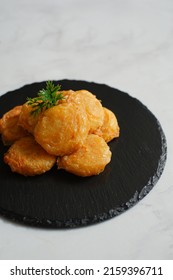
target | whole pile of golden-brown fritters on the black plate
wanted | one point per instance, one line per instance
(74, 133)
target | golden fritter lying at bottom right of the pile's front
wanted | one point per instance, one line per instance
(89, 160)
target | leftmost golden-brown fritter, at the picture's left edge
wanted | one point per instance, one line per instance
(9, 127)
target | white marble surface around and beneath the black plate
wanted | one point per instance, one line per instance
(126, 44)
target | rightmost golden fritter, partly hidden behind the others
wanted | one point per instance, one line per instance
(110, 128)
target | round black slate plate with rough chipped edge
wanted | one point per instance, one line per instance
(62, 200)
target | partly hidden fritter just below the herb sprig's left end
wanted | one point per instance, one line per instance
(26, 119)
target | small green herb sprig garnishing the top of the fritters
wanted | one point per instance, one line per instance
(46, 98)
